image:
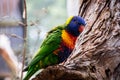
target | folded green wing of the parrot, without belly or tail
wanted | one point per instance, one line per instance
(51, 43)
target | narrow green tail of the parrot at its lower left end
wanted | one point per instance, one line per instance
(30, 72)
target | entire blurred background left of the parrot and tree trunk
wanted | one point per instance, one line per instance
(42, 16)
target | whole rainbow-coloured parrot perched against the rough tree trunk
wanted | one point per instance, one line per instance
(57, 46)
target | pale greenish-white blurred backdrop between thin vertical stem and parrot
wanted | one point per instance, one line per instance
(42, 16)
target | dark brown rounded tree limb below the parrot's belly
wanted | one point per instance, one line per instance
(62, 74)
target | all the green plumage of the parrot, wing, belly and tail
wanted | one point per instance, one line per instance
(44, 56)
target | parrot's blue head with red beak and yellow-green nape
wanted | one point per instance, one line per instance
(75, 25)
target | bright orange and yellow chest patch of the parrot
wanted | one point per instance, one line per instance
(68, 39)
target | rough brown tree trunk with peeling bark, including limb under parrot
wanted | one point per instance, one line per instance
(97, 52)
